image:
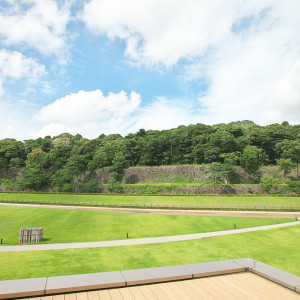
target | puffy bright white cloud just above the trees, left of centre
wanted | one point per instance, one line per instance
(89, 113)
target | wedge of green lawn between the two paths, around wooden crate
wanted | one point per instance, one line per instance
(63, 225)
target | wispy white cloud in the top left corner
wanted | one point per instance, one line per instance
(40, 24)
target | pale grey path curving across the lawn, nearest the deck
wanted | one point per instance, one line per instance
(140, 241)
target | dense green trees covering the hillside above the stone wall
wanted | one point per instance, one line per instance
(69, 162)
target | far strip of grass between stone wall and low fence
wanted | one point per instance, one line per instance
(162, 200)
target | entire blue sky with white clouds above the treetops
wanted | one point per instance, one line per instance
(116, 66)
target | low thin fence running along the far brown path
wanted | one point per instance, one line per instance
(158, 206)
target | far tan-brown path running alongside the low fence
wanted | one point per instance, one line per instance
(220, 213)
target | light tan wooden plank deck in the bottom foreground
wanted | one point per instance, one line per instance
(234, 286)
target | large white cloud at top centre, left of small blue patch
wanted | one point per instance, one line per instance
(161, 32)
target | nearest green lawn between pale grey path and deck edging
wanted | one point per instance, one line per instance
(277, 247)
